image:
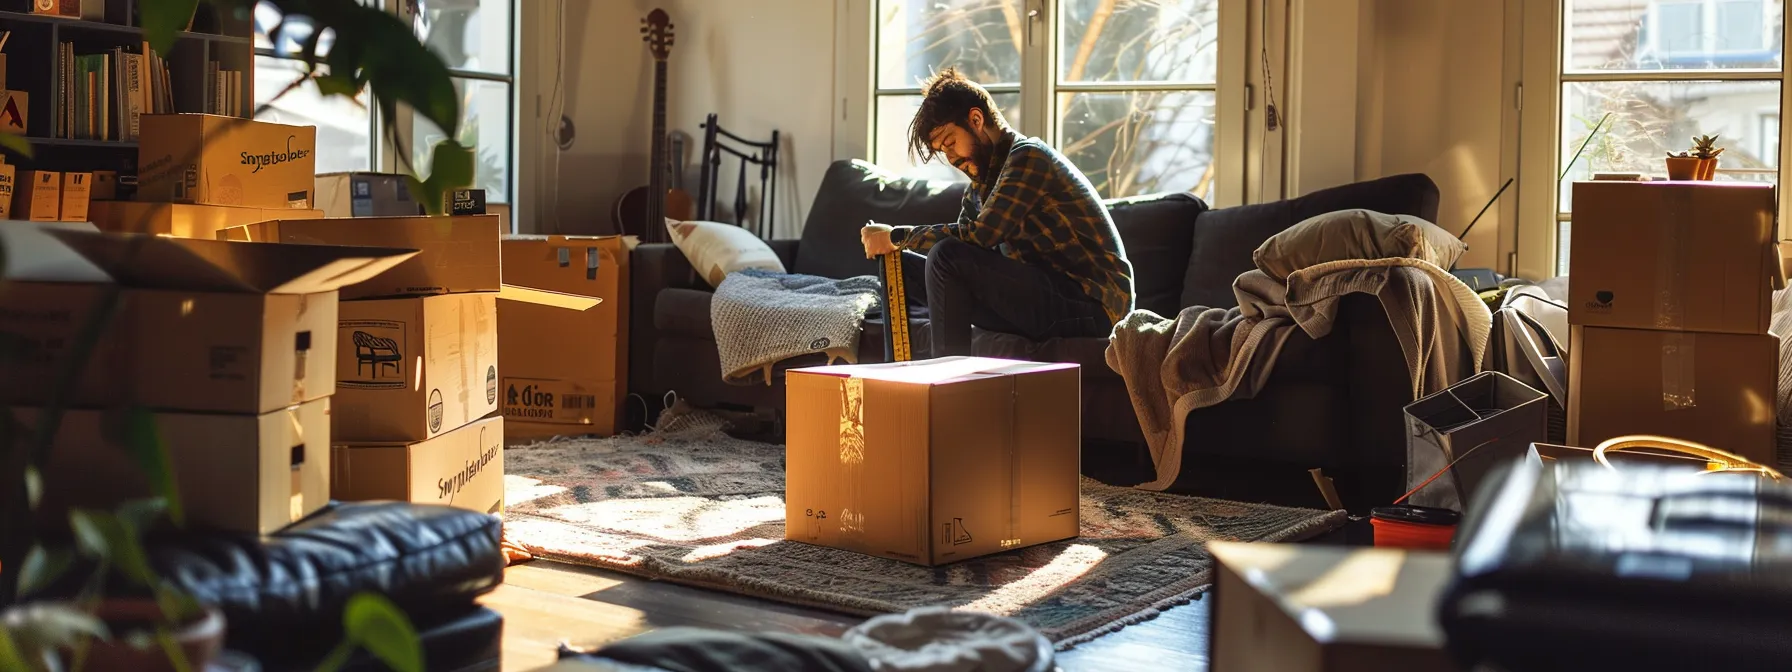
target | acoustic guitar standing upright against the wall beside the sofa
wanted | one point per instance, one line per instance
(642, 212)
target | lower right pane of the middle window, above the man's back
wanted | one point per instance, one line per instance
(1141, 142)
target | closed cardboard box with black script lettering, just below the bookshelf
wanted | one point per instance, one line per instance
(227, 162)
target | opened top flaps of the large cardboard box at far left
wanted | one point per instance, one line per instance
(218, 266)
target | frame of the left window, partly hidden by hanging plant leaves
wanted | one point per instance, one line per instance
(384, 151)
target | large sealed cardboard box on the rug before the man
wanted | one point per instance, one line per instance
(933, 461)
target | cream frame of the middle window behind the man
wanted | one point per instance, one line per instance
(1040, 87)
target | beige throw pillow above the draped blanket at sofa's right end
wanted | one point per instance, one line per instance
(1356, 236)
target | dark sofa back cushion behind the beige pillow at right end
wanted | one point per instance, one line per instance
(1227, 237)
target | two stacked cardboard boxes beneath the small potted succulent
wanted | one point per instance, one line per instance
(1669, 313)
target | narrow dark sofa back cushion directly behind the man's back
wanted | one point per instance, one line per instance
(1157, 232)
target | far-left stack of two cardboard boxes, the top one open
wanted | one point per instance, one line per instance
(220, 343)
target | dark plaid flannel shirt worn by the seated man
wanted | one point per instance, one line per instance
(1038, 209)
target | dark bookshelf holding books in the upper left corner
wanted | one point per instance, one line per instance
(35, 65)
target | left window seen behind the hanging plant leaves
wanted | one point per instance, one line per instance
(472, 37)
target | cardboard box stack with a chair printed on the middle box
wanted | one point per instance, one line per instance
(418, 370)
